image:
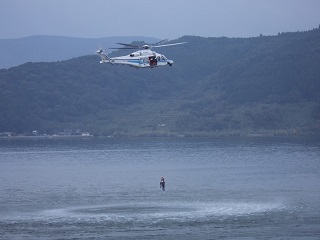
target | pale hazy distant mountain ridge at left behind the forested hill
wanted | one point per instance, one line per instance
(40, 48)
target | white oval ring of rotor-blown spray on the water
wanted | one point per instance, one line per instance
(153, 212)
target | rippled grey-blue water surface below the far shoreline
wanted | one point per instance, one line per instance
(223, 188)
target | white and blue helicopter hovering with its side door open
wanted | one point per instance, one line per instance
(144, 58)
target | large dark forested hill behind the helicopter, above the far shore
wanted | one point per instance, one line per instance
(216, 86)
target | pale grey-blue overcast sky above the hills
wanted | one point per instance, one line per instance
(164, 19)
